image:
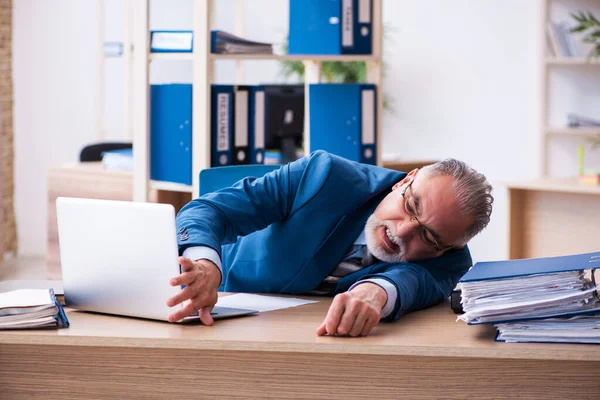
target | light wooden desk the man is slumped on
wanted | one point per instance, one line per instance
(277, 355)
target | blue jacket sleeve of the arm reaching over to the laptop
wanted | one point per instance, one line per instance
(250, 205)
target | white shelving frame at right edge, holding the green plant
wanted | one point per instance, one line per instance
(549, 63)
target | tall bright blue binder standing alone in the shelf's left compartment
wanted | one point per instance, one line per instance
(171, 133)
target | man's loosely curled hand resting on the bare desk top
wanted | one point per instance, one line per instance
(356, 312)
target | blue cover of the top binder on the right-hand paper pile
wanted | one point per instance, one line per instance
(530, 266)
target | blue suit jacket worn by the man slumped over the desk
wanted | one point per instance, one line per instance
(286, 231)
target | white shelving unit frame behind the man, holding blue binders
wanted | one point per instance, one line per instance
(203, 77)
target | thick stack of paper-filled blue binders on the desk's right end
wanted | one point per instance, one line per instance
(551, 299)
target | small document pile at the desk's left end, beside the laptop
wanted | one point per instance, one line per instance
(31, 308)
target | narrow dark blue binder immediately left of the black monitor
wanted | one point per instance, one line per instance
(256, 139)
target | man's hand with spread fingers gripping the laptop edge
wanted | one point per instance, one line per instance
(202, 279)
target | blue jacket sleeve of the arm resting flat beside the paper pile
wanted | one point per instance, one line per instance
(422, 284)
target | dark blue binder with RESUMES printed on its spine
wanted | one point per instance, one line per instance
(222, 125)
